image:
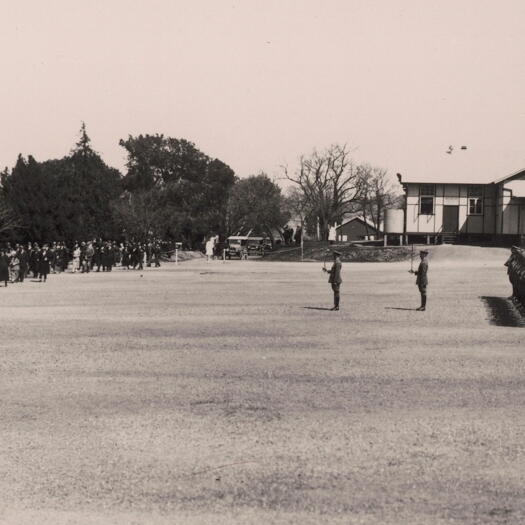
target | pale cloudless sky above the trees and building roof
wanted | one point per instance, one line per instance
(257, 83)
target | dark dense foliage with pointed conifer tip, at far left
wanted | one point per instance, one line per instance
(63, 199)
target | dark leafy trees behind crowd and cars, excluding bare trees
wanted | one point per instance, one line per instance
(171, 190)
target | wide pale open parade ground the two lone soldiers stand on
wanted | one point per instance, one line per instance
(224, 393)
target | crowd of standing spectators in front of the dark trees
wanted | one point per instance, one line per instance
(19, 261)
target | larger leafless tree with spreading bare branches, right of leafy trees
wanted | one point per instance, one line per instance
(330, 184)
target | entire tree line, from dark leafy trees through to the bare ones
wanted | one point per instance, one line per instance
(173, 190)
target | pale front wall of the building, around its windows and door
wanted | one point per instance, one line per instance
(450, 195)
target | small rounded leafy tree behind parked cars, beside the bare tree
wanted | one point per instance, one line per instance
(256, 205)
